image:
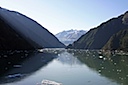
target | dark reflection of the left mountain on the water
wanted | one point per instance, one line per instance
(18, 65)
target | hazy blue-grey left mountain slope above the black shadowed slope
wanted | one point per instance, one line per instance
(29, 29)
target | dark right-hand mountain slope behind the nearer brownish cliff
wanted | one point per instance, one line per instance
(98, 37)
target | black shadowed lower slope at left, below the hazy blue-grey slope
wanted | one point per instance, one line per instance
(10, 40)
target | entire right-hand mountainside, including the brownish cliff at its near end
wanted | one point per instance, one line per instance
(110, 35)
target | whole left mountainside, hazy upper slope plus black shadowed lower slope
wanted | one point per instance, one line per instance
(25, 29)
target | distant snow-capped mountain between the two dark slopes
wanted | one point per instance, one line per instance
(69, 36)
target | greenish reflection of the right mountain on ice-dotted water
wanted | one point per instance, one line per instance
(114, 66)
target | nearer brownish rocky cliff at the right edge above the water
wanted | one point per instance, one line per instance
(118, 41)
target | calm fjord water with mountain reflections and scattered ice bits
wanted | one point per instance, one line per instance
(69, 67)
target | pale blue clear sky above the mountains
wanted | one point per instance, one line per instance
(59, 15)
